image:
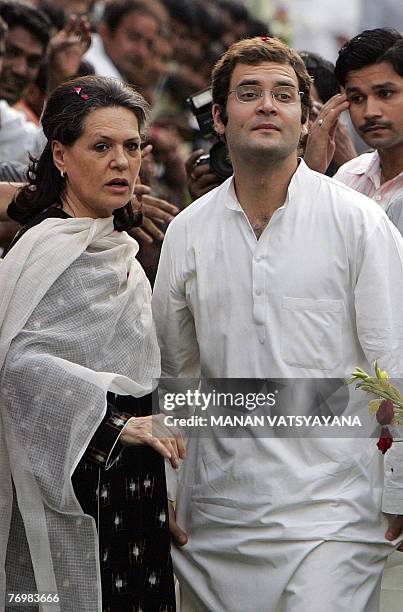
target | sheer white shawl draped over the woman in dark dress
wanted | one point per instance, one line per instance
(75, 323)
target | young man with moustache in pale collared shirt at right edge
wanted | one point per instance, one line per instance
(370, 69)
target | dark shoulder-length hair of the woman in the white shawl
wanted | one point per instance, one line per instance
(63, 120)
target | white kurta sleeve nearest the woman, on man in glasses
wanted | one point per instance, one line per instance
(174, 324)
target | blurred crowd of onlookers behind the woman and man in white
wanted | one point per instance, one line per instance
(166, 49)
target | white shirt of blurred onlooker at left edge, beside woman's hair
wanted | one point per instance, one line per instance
(18, 136)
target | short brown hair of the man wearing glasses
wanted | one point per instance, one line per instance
(255, 51)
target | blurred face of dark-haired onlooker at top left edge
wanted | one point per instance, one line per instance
(23, 54)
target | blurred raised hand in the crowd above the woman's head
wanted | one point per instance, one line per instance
(66, 49)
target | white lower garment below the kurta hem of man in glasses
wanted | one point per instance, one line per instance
(292, 576)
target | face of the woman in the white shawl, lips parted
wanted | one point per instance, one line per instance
(101, 167)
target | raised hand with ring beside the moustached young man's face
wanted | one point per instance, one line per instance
(321, 143)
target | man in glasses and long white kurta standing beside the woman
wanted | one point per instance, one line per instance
(313, 288)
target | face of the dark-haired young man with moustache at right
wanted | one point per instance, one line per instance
(375, 94)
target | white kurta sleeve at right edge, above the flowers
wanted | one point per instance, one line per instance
(379, 312)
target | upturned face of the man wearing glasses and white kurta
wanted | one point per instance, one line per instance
(263, 127)
